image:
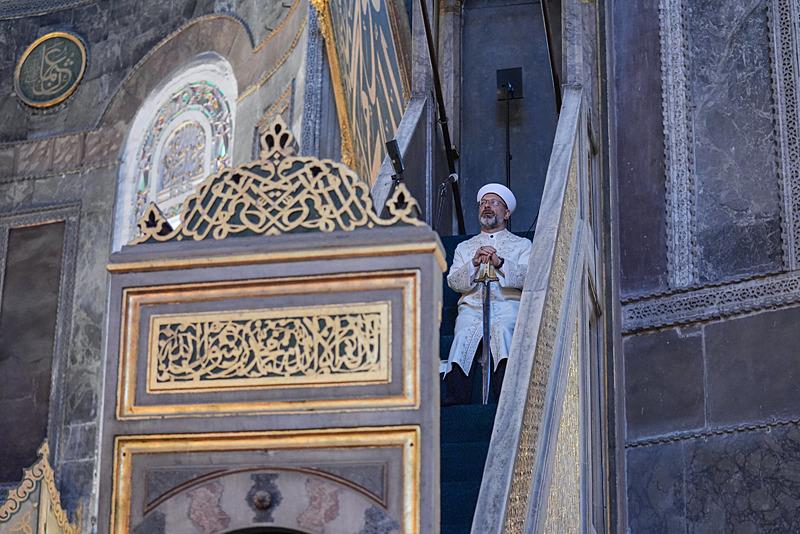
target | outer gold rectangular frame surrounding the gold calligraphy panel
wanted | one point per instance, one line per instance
(134, 298)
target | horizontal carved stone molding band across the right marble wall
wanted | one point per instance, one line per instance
(711, 302)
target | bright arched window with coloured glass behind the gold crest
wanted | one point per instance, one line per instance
(182, 133)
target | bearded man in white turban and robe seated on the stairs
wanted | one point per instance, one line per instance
(509, 255)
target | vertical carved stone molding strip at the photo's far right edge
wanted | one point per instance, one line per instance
(785, 72)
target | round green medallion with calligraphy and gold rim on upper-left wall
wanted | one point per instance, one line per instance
(50, 69)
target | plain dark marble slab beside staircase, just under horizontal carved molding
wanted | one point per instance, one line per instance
(664, 382)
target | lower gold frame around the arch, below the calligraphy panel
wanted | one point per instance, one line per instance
(406, 438)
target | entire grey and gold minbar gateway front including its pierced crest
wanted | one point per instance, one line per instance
(278, 340)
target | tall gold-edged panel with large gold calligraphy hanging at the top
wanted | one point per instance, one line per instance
(370, 73)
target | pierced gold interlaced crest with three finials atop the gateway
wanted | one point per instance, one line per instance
(278, 194)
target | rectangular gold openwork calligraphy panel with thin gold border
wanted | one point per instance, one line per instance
(285, 346)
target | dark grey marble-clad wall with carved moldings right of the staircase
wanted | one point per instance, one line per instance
(708, 300)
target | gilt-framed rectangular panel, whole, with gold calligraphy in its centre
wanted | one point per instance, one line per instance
(341, 333)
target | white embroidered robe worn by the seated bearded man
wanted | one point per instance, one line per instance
(505, 296)
